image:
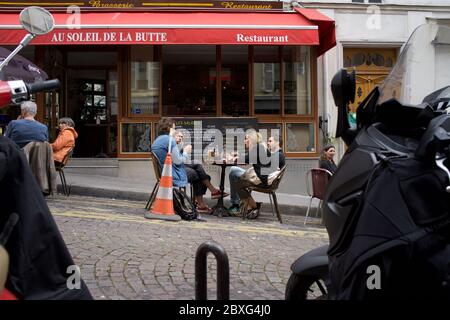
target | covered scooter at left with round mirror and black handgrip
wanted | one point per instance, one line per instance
(30, 243)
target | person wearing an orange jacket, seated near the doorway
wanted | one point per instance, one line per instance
(65, 140)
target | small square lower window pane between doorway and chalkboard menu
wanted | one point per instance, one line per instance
(136, 137)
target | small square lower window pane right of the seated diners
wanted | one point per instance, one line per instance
(300, 137)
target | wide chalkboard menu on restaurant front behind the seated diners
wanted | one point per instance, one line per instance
(216, 135)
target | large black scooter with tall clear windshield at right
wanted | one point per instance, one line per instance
(386, 208)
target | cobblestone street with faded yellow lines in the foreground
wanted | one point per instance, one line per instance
(124, 256)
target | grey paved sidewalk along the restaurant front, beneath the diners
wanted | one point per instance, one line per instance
(139, 190)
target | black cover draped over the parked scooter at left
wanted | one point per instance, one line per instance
(38, 255)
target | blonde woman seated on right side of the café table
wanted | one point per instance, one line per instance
(241, 179)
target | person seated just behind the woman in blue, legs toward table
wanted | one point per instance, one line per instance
(197, 175)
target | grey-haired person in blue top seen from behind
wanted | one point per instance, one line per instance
(26, 129)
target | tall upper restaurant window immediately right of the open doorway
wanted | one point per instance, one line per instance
(144, 80)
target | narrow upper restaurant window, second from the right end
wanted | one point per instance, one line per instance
(266, 80)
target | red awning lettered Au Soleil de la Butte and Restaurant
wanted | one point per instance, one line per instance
(288, 28)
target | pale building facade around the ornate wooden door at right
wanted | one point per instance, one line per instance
(387, 25)
